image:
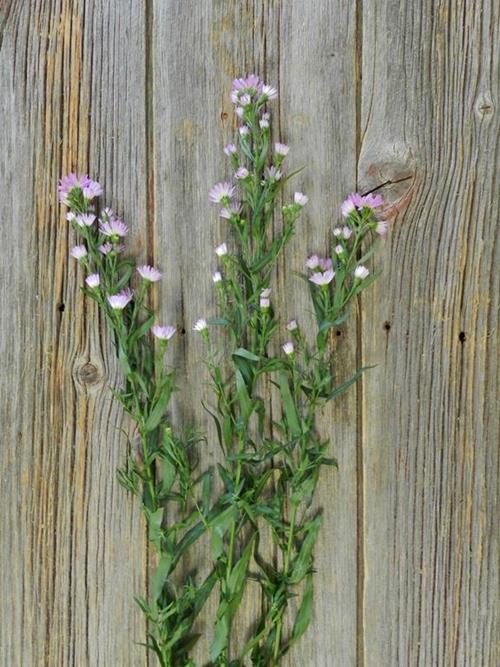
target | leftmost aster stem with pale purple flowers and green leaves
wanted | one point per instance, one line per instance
(159, 468)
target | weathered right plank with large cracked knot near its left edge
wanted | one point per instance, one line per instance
(430, 431)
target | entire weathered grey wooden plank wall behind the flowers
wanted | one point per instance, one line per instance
(396, 94)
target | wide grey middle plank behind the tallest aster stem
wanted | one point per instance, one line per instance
(193, 120)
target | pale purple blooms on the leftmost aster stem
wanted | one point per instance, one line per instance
(72, 188)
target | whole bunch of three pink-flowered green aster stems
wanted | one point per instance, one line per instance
(269, 467)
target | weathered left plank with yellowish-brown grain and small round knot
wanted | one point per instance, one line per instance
(73, 547)
